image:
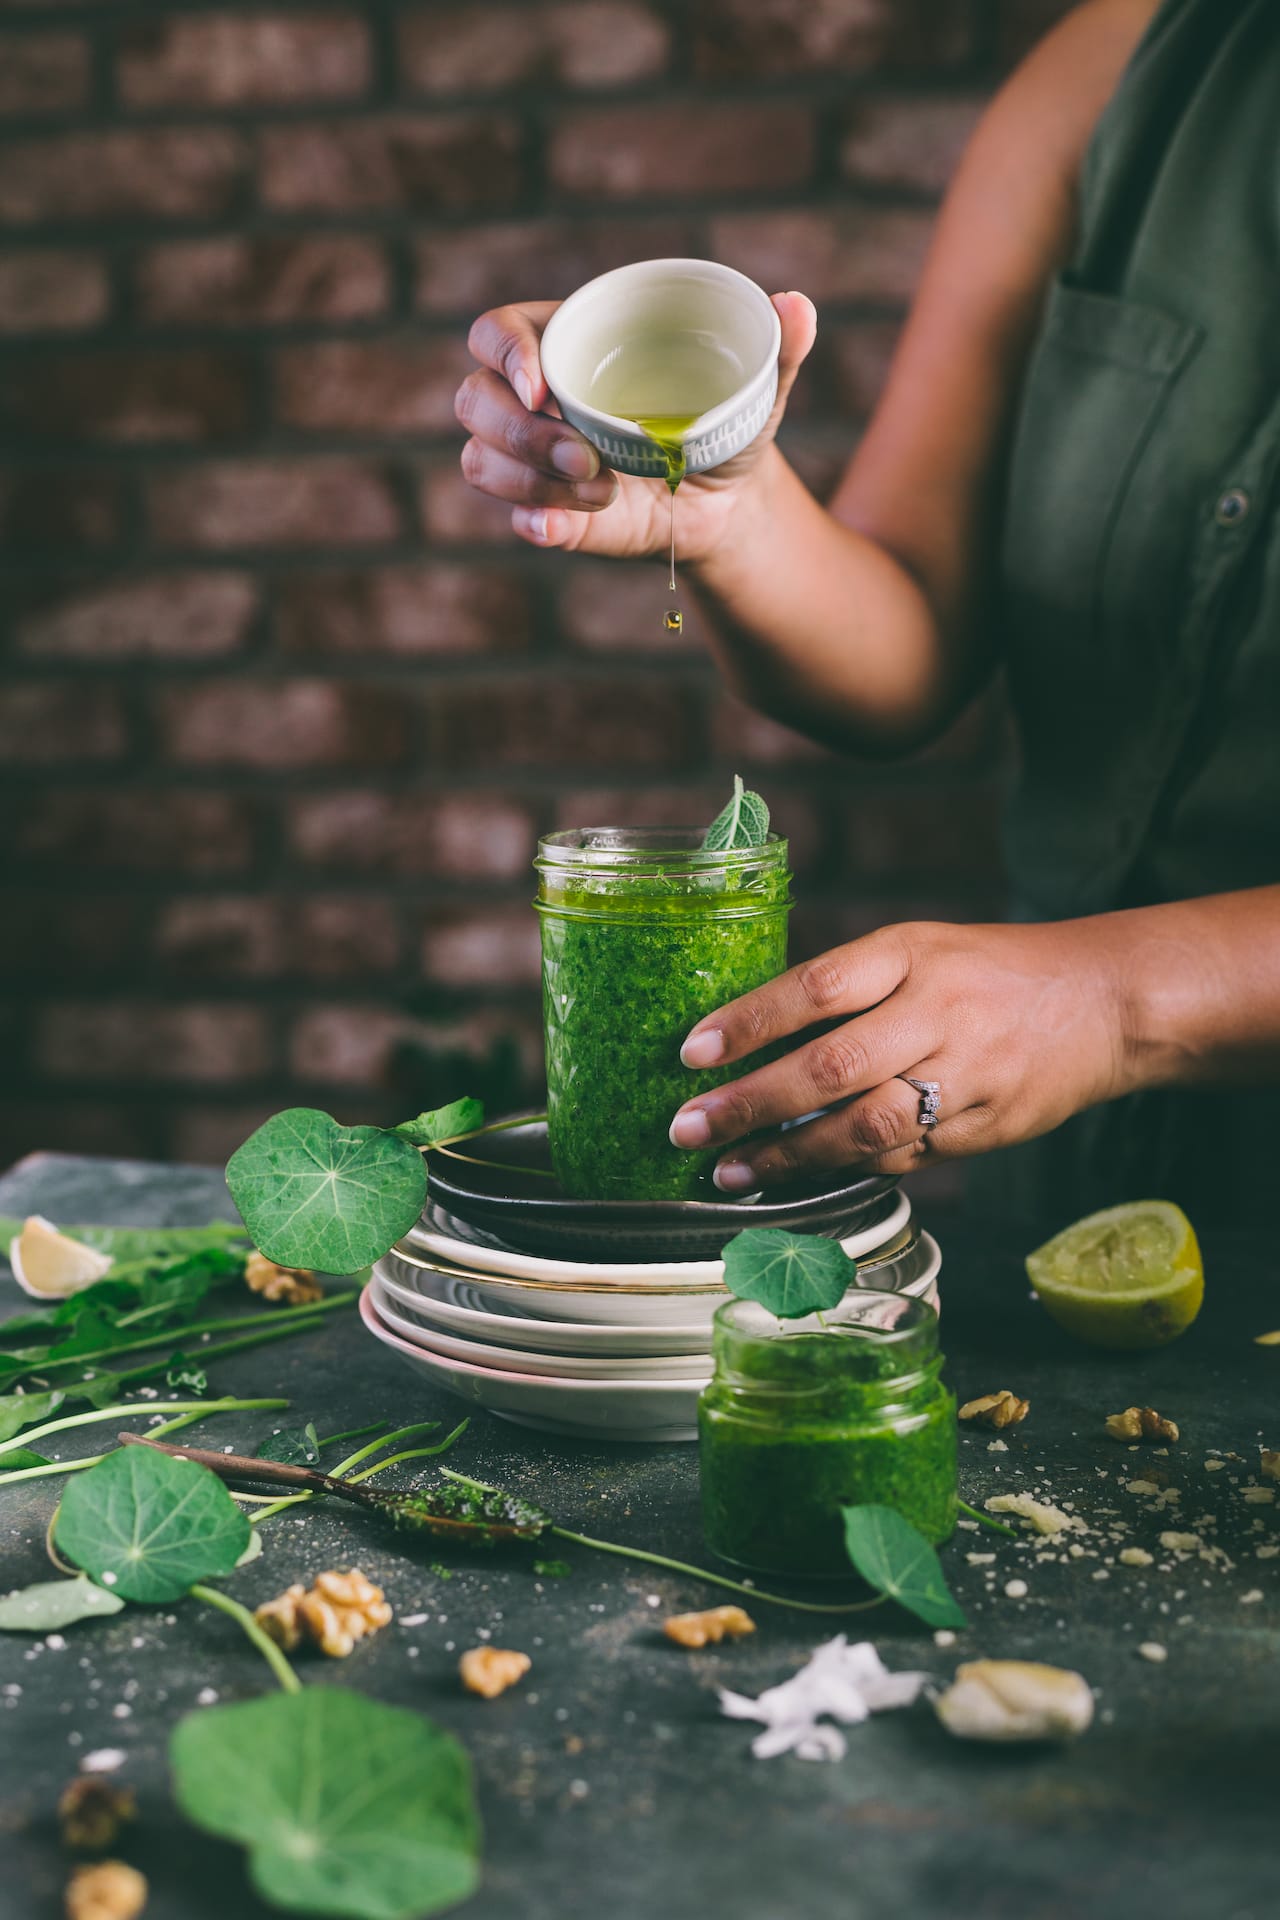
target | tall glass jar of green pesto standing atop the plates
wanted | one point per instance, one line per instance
(644, 934)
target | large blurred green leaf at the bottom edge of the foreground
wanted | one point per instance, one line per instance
(344, 1806)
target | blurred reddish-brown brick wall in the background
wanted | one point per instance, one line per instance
(285, 704)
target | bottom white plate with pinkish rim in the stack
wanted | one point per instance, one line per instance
(600, 1410)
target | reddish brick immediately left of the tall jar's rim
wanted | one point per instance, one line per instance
(463, 838)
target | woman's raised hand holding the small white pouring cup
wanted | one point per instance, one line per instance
(563, 496)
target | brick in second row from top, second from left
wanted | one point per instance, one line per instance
(433, 166)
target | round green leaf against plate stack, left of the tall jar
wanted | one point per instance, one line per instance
(325, 1197)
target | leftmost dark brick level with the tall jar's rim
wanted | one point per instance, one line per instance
(137, 832)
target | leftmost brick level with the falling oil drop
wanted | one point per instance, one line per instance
(181, 617)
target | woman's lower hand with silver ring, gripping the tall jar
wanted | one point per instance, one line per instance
(1020, 1026)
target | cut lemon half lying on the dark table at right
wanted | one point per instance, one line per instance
(1127, 1278)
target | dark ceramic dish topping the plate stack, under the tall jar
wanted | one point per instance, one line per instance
(511, 1203)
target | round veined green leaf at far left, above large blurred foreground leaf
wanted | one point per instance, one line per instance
(147, 1525)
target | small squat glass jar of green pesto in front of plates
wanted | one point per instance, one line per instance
(811, 1416)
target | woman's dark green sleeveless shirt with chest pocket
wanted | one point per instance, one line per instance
(1141, 577)
